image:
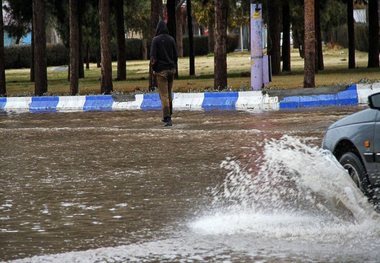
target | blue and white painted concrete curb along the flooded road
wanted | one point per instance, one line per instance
(355, 94)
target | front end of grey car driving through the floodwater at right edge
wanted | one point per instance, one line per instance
(355, 142)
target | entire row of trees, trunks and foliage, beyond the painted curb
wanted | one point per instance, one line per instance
(85, 23)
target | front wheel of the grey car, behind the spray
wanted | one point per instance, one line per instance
(355, 168)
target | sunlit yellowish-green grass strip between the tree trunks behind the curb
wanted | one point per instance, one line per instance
(335, 73)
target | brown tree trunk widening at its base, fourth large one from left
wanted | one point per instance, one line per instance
(105, 50)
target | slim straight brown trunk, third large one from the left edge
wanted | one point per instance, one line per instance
(74, 47)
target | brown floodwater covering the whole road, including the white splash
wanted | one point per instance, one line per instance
(217, 186)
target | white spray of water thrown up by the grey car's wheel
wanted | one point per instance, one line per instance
(298, 191)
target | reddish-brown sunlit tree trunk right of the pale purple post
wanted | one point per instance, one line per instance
(309, 67)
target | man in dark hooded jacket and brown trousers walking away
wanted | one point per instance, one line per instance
(164, 58)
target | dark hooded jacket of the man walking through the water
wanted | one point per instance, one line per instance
(163, 52)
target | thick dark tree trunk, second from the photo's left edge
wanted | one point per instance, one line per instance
(40, 70)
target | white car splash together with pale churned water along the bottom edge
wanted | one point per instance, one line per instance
(294, 203)
